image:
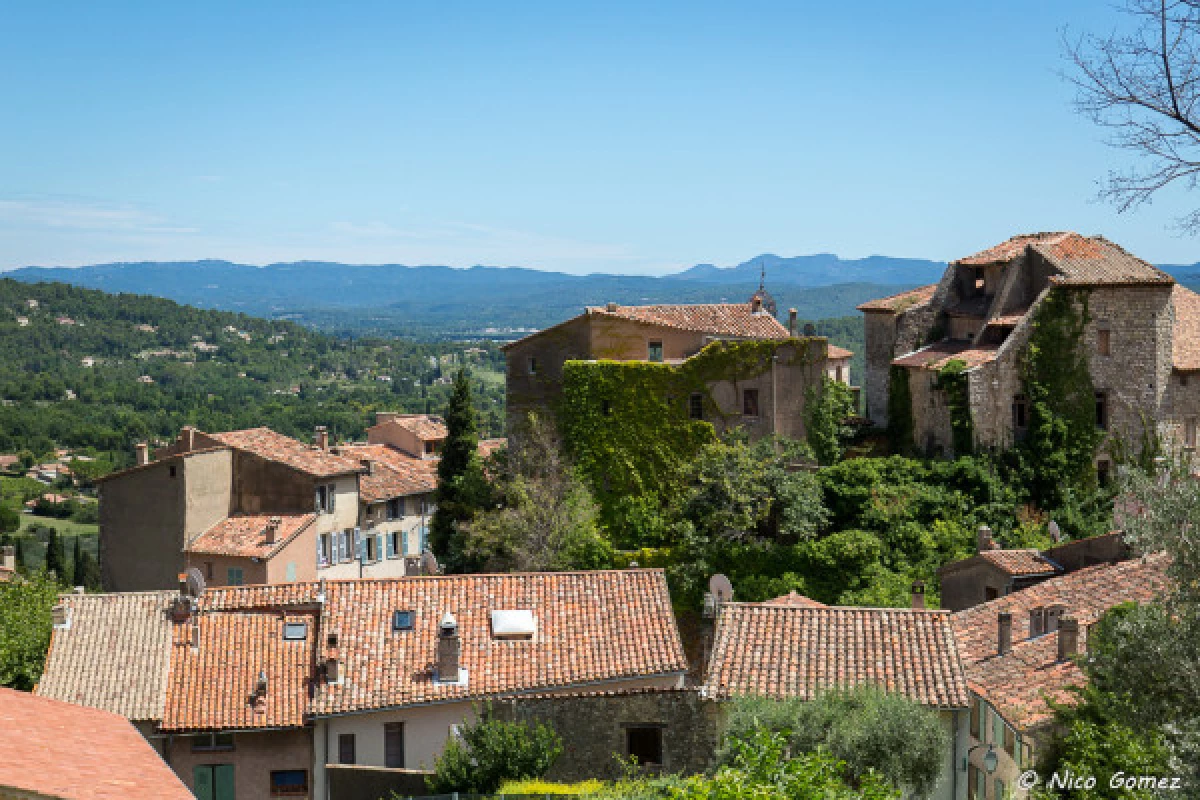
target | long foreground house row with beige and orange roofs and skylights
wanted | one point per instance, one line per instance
(347, 689)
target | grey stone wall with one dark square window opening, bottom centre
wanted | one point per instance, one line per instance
(595, 729)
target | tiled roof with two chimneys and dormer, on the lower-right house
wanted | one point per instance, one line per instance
(1019, 683)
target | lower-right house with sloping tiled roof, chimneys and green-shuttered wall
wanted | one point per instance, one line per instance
(1019, 654)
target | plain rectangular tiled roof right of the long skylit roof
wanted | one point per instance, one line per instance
(797, 652)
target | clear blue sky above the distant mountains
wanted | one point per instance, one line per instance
(616, 137)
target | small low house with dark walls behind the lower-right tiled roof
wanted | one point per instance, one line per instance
(994, 573)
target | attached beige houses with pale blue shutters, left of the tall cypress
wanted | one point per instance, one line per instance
(256, 507)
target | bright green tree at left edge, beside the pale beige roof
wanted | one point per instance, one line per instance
(26, 627)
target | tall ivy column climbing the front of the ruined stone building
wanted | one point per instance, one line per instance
(1064, 437)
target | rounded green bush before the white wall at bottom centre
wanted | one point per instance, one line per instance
(490, 751)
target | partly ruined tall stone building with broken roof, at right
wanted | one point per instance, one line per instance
(1142, 339)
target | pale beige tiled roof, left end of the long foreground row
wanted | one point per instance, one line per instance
(113, 655)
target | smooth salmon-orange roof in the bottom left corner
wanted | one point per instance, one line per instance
(59, 750)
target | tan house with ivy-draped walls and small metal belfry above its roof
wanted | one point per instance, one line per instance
(765, 400)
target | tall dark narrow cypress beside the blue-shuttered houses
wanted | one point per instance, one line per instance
(463, 489)
